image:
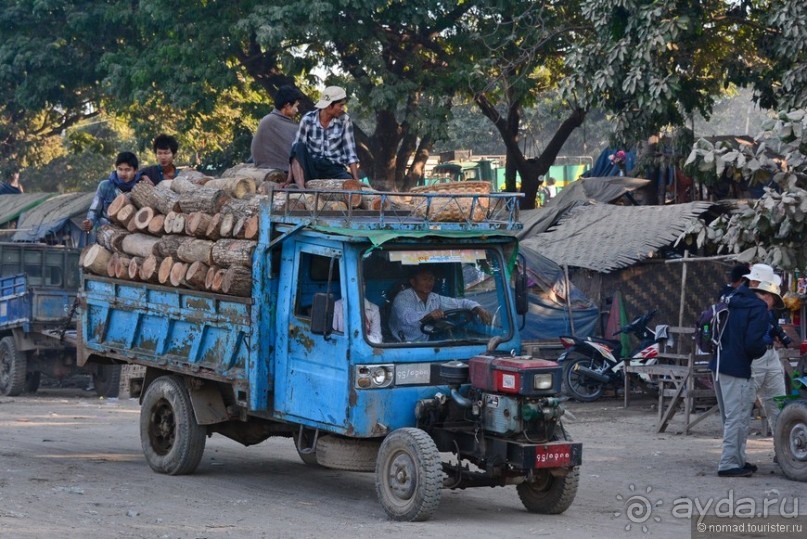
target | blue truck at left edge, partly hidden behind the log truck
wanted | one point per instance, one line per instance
(38, 287)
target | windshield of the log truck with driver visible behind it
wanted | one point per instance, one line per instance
(452, 296)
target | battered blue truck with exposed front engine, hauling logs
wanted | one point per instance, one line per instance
(448, 402)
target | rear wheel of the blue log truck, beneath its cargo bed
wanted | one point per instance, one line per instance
(173, 442)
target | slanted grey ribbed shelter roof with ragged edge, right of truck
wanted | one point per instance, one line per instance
(604, 237)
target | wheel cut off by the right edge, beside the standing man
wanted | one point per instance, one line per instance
(790, 440)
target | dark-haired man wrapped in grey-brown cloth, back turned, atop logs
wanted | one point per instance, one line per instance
(276, 132)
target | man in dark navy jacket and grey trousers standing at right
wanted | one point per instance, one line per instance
(743, 341)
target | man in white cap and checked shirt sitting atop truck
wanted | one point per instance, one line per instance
(325, 144)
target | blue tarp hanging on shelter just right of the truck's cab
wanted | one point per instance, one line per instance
(548, 316)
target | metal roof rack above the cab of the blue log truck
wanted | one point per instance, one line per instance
(395, 211)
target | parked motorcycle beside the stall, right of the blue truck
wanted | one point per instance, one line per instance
(591, 364)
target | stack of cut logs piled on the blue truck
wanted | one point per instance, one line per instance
(200, 232)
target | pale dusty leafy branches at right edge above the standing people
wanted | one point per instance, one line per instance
(771, 229)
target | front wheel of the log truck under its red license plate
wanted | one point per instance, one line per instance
(548, 494)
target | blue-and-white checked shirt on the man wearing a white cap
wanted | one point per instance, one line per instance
(335, 143)
